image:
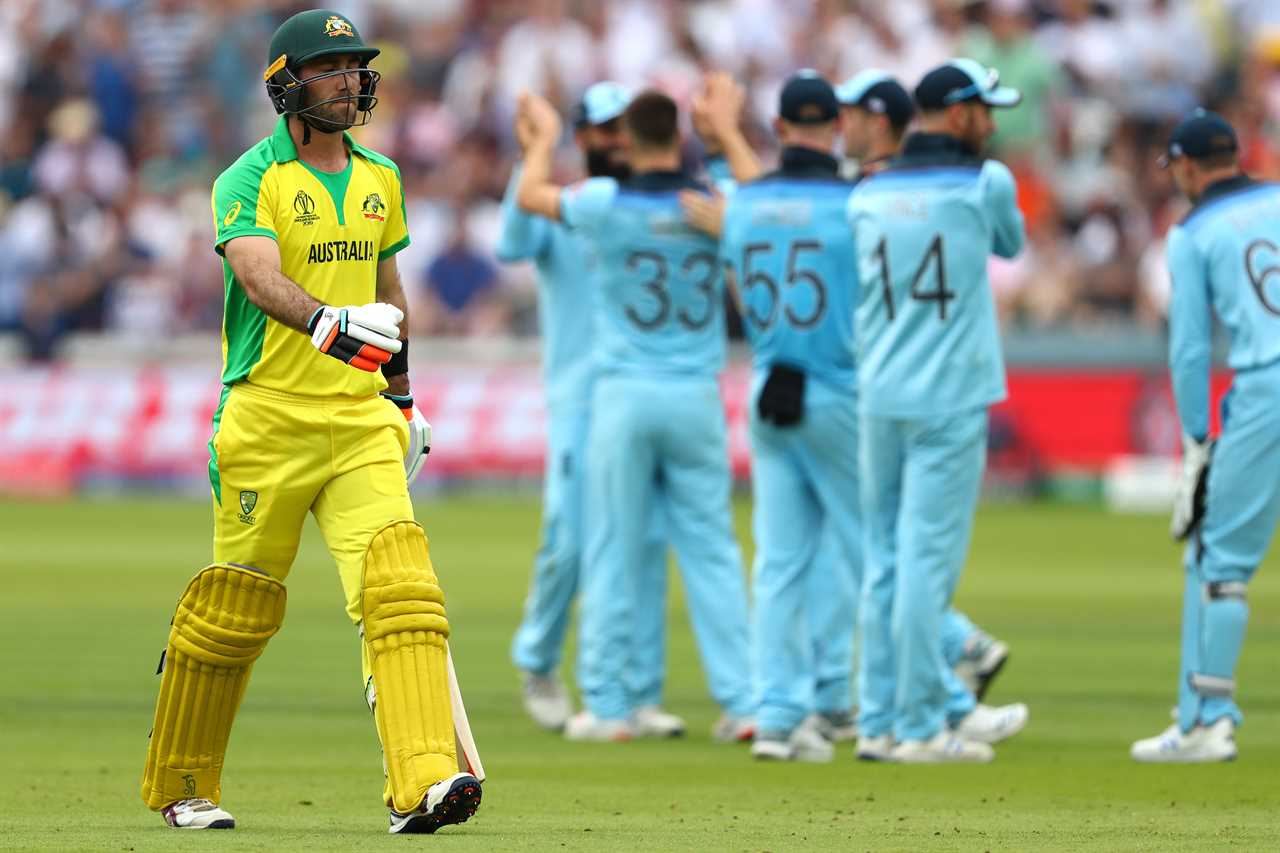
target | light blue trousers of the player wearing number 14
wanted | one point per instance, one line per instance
(921, 482)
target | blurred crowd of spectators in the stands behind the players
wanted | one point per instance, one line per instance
(117, 115)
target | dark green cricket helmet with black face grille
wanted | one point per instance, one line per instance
(313, 35)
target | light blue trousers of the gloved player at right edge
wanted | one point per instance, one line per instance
(1241, 516)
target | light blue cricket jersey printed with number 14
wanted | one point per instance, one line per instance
(929, 341)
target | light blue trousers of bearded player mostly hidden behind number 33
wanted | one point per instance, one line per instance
(540, 641)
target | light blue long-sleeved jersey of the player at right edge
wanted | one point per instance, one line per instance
(1224, 259)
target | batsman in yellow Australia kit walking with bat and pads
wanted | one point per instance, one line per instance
(316, 416)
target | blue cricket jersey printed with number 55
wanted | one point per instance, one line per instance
(787, 244)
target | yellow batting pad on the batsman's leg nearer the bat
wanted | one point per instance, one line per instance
(405, 633)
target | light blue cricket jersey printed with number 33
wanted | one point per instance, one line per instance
(659, 291)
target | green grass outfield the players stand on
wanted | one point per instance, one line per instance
(1089, 601)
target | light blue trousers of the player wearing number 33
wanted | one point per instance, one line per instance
(660, 443)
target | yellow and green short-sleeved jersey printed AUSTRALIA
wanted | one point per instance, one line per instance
(333, 230)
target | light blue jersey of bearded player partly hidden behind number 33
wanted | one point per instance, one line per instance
(564, 261)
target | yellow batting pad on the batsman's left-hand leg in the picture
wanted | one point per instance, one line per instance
(223, 623)
